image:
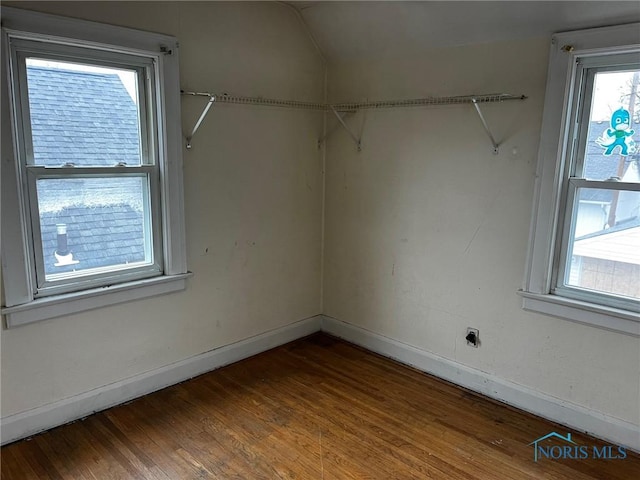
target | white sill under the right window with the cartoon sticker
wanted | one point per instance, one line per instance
(622, 321)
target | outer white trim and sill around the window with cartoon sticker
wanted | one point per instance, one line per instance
(536, 292)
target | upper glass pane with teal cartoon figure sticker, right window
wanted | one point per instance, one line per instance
(613, 138)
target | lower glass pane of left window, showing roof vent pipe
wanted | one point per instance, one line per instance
(88, 223)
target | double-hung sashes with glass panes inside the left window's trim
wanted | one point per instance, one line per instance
(89, 124)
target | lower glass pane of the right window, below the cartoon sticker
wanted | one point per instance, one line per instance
(606, 258)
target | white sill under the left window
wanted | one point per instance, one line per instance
(59, 305)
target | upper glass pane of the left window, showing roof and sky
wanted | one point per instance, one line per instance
(83, 114)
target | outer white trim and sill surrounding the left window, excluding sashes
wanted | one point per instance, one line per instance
(20, 307)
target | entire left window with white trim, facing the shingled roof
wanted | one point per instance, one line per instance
(95, 177)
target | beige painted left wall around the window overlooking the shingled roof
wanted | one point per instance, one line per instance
(253, 195)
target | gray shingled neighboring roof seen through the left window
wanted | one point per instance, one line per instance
(88, 119)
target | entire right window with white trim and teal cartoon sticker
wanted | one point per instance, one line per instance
(584, 259)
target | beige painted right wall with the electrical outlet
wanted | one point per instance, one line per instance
(427, 230)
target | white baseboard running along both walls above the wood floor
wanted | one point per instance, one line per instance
(24, 424)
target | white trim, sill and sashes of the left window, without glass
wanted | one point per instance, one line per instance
(21, 304)
